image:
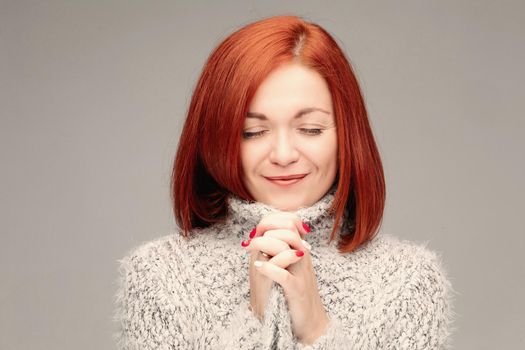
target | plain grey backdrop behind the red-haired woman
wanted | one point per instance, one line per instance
(92, 99)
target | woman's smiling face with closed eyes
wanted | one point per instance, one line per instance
(290, 130)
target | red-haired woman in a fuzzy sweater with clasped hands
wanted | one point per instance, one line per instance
(279, 192)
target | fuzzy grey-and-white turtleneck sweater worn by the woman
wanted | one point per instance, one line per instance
(177, 293)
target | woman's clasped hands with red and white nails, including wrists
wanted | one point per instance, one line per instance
(288, 262)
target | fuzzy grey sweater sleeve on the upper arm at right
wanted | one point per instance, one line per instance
(422, 314)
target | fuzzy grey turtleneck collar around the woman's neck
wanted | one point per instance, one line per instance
(245, 215)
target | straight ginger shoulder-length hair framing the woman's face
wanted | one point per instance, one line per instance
(207, 166)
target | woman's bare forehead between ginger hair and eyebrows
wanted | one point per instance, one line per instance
(290, 88)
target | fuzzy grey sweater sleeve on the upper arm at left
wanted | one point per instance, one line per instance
(150, 316)
